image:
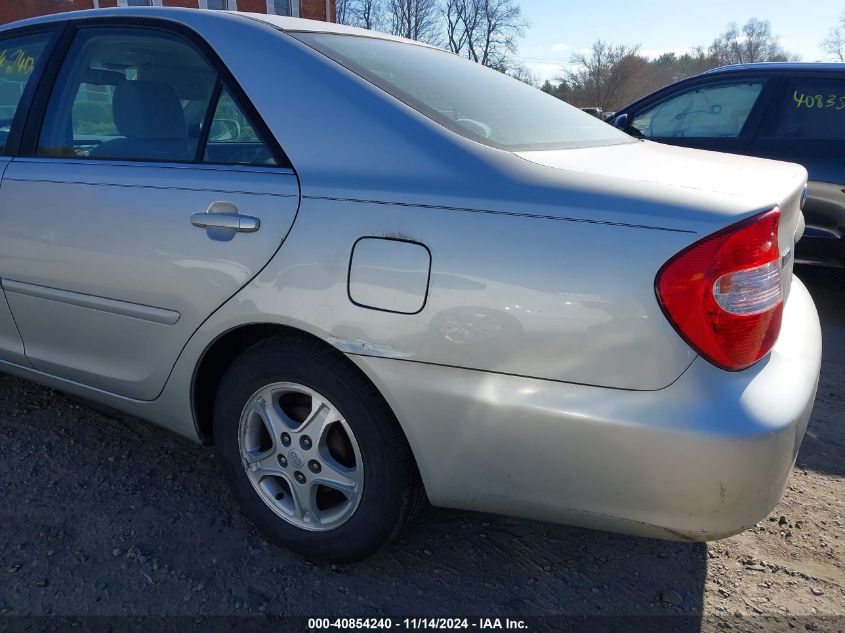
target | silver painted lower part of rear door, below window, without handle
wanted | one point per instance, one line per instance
(105, 274)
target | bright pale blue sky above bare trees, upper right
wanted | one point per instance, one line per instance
(558, 28)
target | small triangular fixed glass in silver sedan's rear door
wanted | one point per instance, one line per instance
(232, 138)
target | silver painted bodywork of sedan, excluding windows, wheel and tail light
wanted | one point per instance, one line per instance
(540, 332)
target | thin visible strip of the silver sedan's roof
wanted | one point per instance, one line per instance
(189, 16)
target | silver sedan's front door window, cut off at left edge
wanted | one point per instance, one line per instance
(18, 57)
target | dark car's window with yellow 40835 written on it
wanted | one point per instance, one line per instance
(814, 110)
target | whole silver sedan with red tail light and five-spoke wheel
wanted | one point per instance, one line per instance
(371, 273)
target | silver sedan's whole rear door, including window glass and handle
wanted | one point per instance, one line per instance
(149, 194)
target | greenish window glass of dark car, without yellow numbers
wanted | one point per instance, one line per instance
(707, 112)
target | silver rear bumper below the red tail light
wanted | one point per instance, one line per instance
(701, 459)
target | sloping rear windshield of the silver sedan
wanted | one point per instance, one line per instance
(474, 101)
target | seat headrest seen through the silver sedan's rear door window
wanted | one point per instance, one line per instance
(148, 110)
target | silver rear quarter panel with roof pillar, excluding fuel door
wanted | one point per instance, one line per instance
(534, 271)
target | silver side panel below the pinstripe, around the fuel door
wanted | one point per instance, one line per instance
(564, 301)
